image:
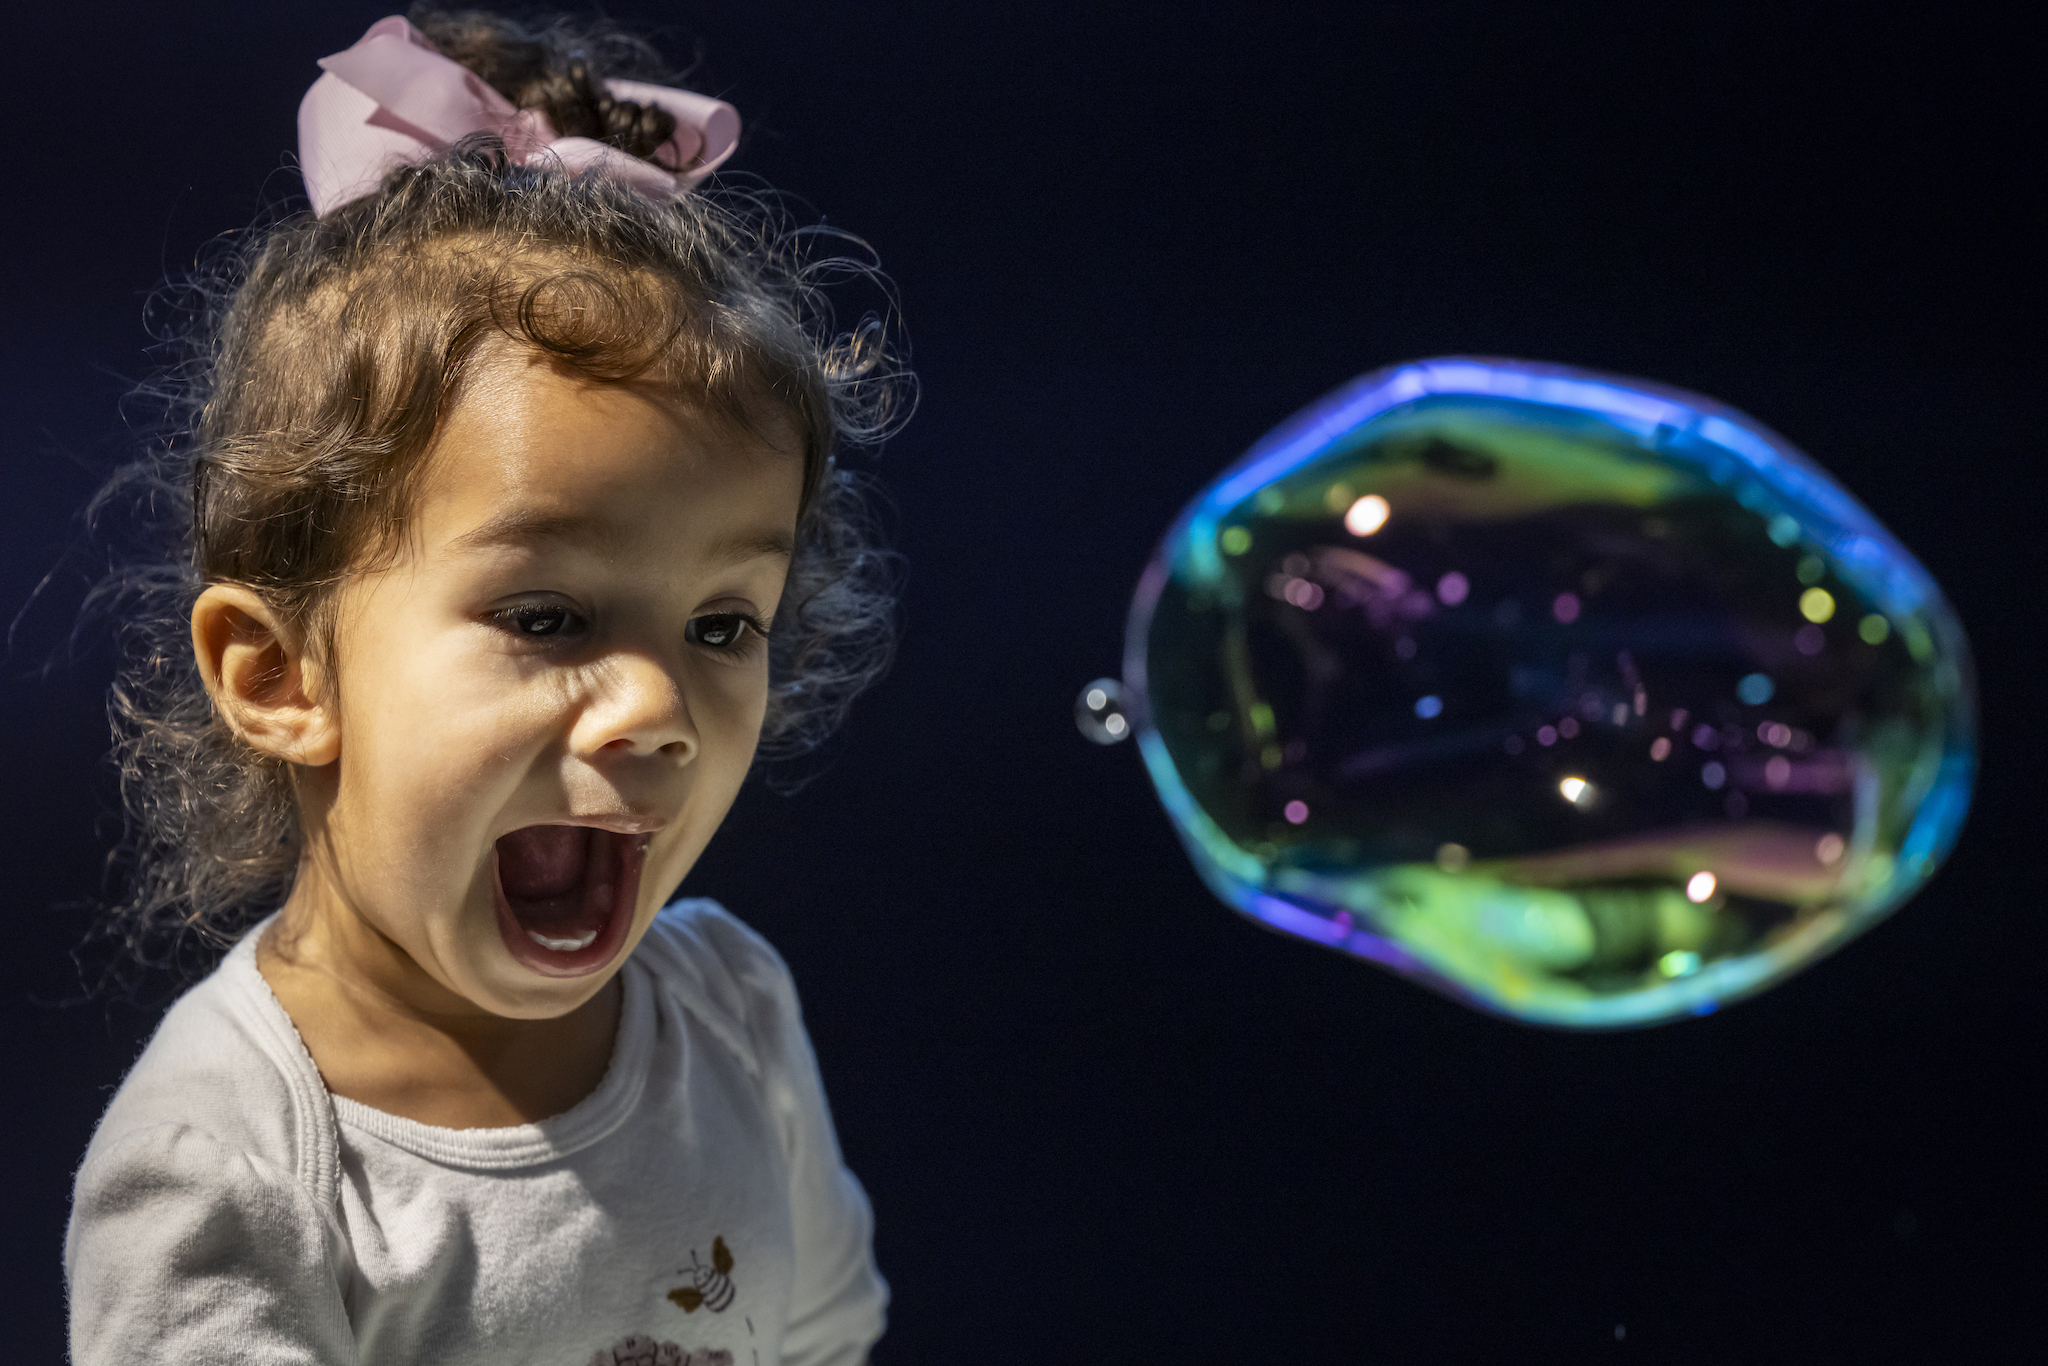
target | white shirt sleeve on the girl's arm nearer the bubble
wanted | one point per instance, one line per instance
(839, 1295)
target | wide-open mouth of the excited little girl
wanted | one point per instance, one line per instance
(566, 896)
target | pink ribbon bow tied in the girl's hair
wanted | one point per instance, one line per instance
(392, 99)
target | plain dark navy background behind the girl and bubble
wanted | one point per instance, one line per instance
(1105, 1119)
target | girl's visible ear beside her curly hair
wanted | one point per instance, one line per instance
(261, 681)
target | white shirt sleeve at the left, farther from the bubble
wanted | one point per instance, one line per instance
(185, 1250)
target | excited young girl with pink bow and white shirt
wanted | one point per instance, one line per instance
(511, 533)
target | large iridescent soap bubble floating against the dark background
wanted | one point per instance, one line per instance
(1576, 697)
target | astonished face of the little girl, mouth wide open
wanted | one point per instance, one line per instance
(550, 701)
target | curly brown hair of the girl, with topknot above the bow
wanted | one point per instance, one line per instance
(327, 355)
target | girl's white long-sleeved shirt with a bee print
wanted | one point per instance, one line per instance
(693, 1211)
